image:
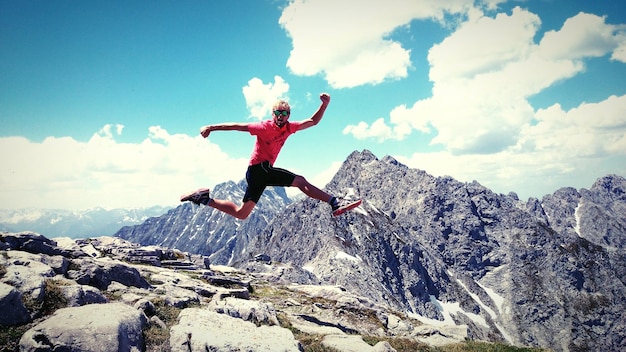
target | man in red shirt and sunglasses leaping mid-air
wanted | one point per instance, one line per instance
(270, 138)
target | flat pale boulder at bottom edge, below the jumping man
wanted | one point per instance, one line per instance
(204, 330)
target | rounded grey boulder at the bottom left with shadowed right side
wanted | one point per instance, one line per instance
(91, 328)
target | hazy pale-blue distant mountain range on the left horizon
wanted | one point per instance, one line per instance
(74, 224)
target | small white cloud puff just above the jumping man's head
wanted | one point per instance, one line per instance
(260, 97)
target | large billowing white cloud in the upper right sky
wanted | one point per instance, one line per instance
(484, 73)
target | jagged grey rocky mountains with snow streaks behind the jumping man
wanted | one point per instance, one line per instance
(543, 272)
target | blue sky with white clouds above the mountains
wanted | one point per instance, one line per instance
(101, 102)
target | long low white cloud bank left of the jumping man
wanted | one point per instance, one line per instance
(68, 174)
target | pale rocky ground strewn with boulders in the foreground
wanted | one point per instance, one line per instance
(107, 294)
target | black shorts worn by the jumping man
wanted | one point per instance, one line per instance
(262, 175)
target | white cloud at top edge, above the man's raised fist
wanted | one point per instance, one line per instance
(338, 39)
